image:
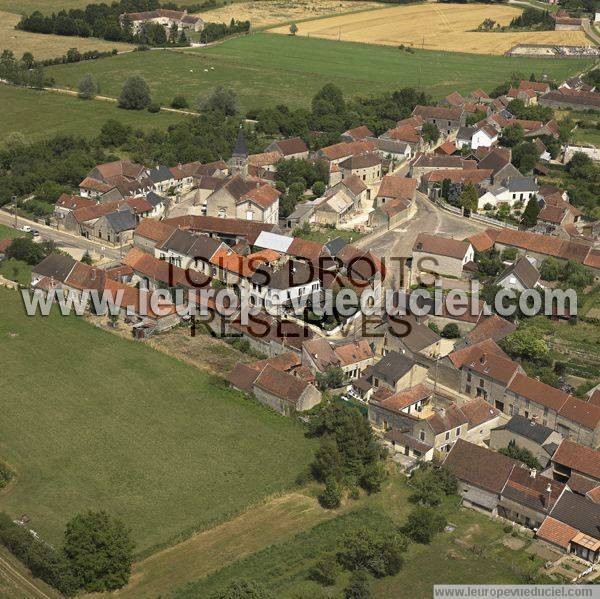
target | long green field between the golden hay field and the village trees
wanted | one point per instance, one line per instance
(268, 69)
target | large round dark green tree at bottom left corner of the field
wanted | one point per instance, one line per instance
(100, 551)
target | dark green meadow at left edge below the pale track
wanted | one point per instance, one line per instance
(39, 114)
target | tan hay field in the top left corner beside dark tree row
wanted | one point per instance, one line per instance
(46, 46)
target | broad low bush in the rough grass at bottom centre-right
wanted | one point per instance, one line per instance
(380, 553)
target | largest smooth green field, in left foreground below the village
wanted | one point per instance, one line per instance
(92, 421)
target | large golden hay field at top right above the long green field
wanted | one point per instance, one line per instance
(447, 27)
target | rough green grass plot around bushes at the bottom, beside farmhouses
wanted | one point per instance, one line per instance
(449, 559)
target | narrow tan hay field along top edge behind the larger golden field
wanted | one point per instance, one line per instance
(263, 13)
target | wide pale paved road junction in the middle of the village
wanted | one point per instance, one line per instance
(429, 218)
